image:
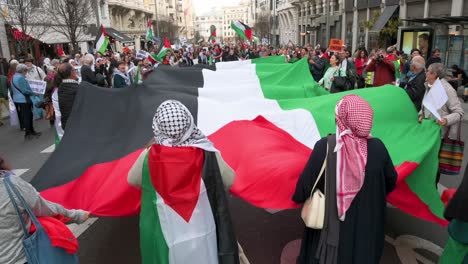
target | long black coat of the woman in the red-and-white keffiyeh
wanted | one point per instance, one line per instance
(361, 239)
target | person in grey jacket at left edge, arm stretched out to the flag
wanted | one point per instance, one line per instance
(11, 233)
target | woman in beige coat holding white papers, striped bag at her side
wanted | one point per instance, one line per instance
(451, 112)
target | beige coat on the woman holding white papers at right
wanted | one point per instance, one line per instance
(452, 111)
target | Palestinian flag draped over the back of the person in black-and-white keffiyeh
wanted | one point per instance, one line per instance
(184, 216)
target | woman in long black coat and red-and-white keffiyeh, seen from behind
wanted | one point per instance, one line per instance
(359, 174)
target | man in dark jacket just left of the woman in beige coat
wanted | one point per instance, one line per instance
(415, 86)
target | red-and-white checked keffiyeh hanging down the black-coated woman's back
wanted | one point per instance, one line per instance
(353, 125)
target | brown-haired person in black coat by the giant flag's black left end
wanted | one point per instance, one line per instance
(67, 82)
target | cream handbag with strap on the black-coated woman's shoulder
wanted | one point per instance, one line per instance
(313, 211)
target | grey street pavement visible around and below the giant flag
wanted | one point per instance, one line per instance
(265, 237)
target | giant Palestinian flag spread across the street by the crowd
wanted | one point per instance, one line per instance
(263, 115)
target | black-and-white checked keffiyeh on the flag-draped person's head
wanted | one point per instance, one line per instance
(173, 125)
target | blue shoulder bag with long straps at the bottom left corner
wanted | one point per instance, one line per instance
(37, 246)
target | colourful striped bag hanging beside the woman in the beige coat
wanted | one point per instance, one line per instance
(451, 153)
